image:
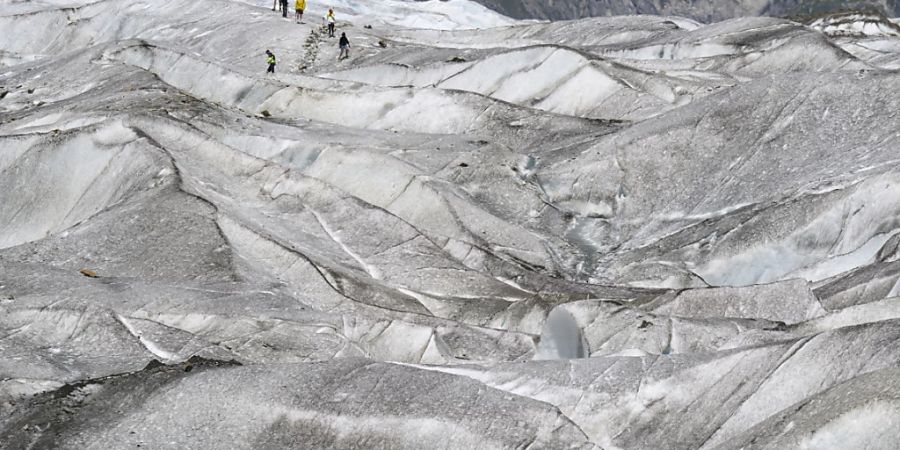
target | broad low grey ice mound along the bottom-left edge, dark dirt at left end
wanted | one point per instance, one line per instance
(267, 411)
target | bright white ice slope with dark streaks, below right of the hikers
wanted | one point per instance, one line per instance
(547, 78)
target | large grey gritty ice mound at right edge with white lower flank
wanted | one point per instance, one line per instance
(658, 179)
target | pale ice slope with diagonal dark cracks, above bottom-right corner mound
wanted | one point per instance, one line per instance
(702, 399)
